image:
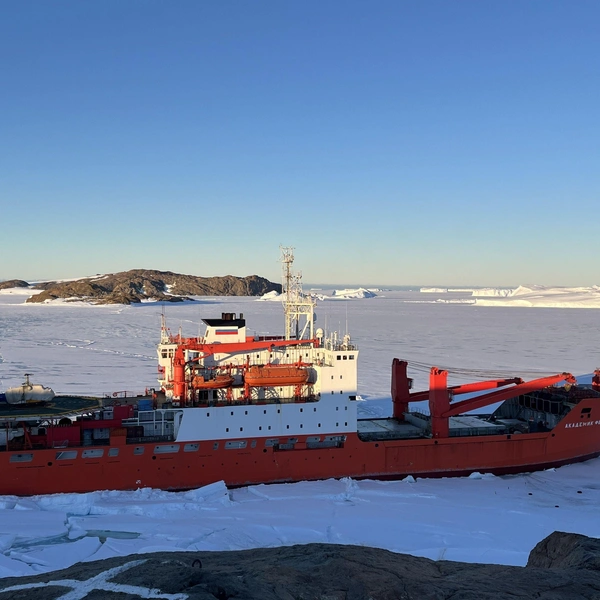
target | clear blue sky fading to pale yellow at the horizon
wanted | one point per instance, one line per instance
(389, 142)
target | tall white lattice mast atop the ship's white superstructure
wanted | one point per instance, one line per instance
(295, 303)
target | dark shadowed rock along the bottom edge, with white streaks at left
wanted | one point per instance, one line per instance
(322, 572)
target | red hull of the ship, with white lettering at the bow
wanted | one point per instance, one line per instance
(47, 471)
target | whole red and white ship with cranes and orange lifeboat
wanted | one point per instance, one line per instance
(256, 409)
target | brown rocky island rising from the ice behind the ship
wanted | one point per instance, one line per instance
(140, 284)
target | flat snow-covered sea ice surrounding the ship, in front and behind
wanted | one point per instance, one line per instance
(86, 349)
